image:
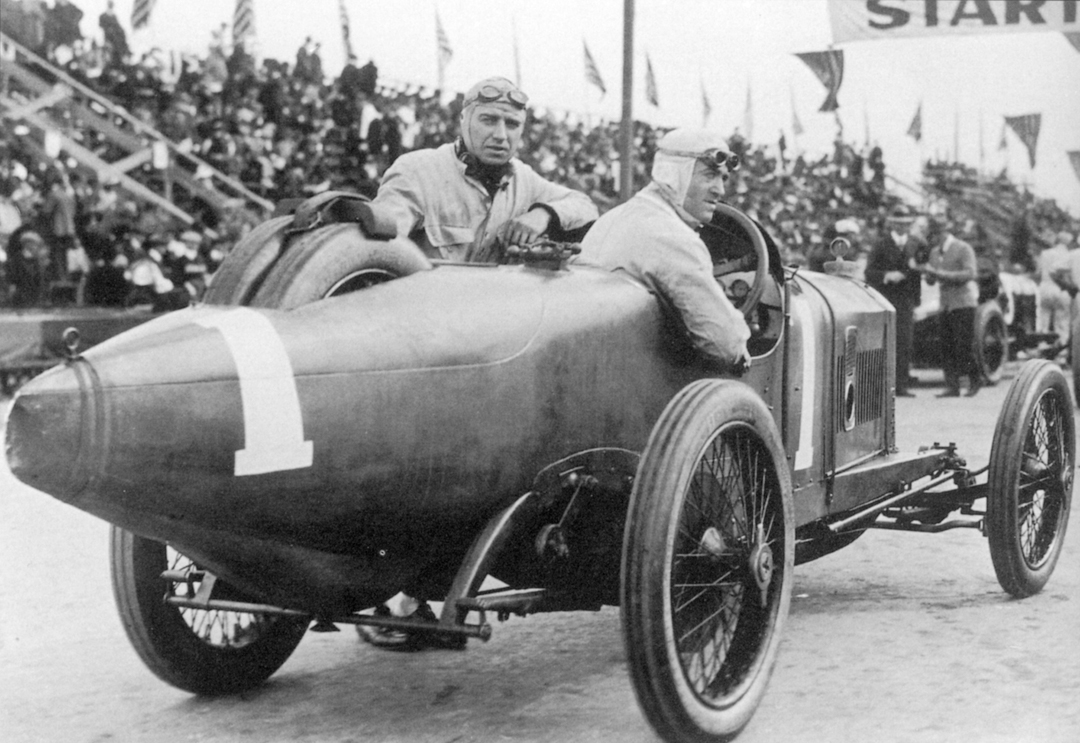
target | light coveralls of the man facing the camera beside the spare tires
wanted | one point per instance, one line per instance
(429, 190)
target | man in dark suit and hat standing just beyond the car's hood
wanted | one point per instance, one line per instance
(892, 271)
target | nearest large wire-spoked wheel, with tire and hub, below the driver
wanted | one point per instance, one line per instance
(708, 563)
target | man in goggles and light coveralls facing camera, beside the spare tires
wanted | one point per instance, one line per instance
(470, 199)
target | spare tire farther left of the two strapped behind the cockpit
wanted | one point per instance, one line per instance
(245, 269)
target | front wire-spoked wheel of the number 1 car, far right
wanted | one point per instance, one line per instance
(1035, 426)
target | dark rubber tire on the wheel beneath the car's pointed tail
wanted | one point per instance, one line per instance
(169, 646)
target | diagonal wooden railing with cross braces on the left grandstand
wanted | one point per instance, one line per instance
(123, 130)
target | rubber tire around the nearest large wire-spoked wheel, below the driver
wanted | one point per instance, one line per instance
(693, 421)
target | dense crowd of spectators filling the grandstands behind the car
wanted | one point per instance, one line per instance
(288, 130)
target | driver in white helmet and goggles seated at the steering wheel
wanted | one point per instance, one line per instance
(655, 239)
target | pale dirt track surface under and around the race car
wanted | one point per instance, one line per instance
(899, 638)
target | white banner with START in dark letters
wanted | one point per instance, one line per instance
(866, 20)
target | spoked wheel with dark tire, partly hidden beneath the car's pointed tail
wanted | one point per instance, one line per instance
(202, 652)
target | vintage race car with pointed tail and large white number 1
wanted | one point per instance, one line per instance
(344, 420)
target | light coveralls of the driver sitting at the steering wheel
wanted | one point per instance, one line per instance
(649, 240)
